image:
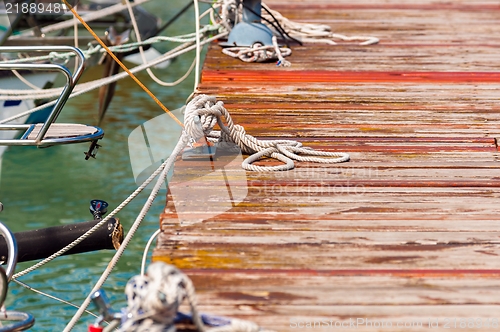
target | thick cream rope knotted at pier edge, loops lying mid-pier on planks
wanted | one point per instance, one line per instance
(203, 112)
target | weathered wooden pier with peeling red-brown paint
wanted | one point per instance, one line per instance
(406, 235)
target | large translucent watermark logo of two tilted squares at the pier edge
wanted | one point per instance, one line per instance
(204, 184)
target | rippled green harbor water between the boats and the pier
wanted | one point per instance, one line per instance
(53, 186)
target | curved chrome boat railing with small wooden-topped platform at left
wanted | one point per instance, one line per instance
(48, 133)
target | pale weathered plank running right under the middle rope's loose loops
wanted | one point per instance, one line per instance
(331, 173)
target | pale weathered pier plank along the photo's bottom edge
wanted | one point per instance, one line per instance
(287, 316)
